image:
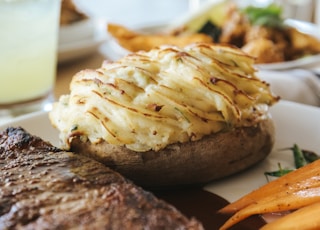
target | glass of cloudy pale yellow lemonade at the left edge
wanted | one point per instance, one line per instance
(28, 55)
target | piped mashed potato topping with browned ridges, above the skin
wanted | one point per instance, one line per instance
(148, 100)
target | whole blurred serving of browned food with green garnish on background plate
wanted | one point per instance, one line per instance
(260, 32)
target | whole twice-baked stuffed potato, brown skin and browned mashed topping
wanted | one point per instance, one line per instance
(171, 116)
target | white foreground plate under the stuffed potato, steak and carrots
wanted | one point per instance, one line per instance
(295, 123)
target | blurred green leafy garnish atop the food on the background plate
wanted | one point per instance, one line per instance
(264, 16)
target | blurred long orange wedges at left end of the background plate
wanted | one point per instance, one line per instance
(135, 41)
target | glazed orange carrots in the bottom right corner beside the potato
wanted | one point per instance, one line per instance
(297, 192)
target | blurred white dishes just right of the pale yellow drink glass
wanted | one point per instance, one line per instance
(81, 39)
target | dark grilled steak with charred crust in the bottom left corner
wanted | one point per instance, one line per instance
(43, 187)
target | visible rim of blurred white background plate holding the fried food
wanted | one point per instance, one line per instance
(115, 51)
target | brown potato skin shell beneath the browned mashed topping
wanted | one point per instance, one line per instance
(182, 164)
